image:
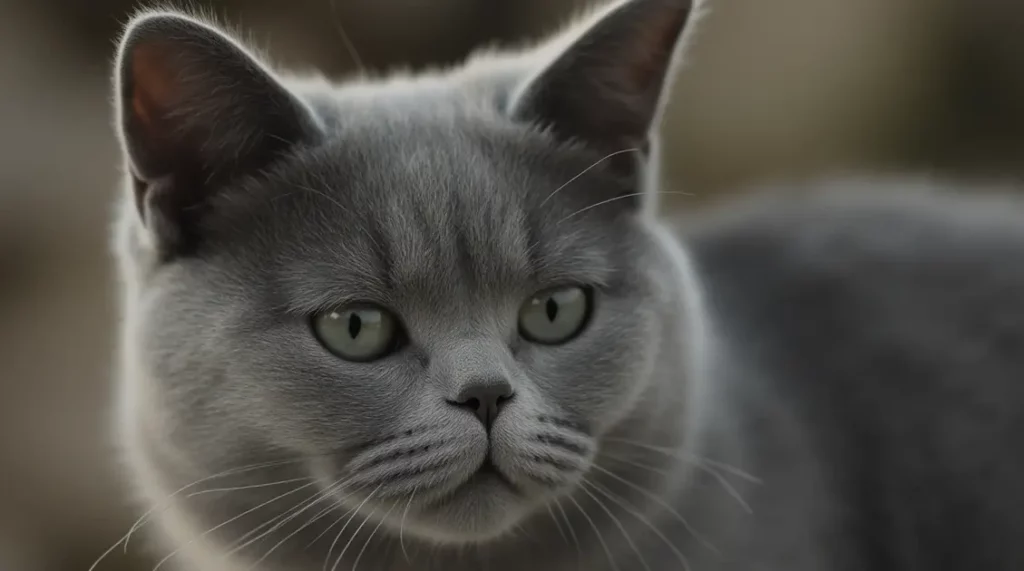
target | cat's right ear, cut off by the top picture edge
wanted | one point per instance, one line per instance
(606, 89)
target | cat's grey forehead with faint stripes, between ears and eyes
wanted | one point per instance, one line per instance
(441, 206)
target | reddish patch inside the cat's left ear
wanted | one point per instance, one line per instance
(154, 83)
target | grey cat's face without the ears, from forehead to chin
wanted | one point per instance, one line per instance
(361, 303)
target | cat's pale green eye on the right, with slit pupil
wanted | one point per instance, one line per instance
(557, 316)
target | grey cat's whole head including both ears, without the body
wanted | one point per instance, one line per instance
(433, 295)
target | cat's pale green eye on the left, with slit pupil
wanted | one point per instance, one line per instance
(357, 334)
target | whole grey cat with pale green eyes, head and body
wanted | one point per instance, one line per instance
(435, 323)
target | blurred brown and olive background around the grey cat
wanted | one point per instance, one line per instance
(774, 91)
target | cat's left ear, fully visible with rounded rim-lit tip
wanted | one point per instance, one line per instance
(195, 111)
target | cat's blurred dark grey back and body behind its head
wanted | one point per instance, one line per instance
(889, 319)
